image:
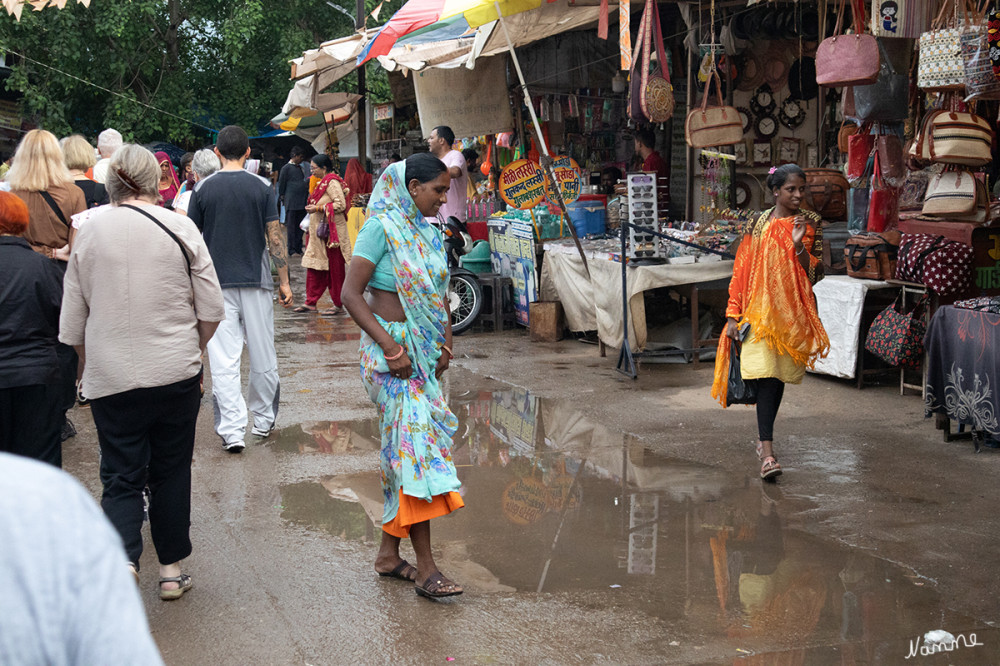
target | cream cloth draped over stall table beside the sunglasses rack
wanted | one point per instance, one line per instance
(597, 303)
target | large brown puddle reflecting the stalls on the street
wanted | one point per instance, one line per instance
(557, 503)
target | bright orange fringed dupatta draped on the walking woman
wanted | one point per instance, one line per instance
(770, 290)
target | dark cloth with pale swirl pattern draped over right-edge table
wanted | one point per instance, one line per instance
(963, 368)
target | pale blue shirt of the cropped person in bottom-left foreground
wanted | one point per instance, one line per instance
(66, 595)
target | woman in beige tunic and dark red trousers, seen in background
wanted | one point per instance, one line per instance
(326, 258)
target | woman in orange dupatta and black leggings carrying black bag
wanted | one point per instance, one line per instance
(771, 291)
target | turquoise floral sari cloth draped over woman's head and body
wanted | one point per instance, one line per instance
(417, 425)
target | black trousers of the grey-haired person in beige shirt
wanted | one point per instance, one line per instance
(147, 438)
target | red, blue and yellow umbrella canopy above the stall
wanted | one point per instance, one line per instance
(460, 17)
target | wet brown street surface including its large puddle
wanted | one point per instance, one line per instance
(606, 521)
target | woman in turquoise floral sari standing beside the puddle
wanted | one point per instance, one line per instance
(405, 349)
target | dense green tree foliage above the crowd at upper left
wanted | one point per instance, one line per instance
(201, 64)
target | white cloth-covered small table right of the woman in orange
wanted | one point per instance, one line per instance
(841, 303)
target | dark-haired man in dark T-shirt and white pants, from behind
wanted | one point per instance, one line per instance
(238, 215)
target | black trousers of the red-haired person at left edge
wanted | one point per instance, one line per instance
(31, 419)
